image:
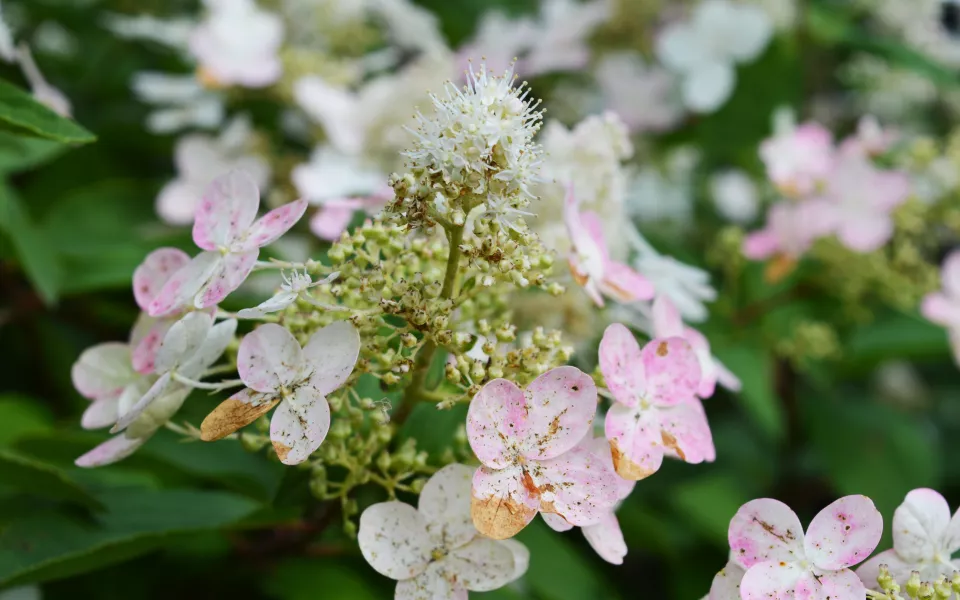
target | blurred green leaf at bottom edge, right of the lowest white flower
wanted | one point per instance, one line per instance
(557, 571)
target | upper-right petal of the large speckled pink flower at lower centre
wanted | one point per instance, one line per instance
(561, 405)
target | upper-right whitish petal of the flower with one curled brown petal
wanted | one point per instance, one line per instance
(331, 354)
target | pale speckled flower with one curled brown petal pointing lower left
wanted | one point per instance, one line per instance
(277, 370)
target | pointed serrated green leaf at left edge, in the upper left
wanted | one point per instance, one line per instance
(20, 113)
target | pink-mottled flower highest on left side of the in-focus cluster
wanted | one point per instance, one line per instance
(226, 228)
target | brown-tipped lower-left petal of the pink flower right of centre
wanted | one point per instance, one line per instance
(636, 443)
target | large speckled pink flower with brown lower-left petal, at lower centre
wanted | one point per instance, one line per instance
(526, 443)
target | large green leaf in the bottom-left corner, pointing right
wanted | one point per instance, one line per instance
(52, 546)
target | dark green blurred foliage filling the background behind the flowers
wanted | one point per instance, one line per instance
(177, 520)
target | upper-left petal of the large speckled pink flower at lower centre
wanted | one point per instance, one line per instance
(497, 420)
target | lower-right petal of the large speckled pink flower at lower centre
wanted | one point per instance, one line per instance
(577, 486)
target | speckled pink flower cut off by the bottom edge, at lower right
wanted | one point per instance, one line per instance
(767, 540)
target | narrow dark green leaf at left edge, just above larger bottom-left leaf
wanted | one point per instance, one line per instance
(33, 477)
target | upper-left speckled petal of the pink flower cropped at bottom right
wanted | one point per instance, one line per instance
(765, 530)
